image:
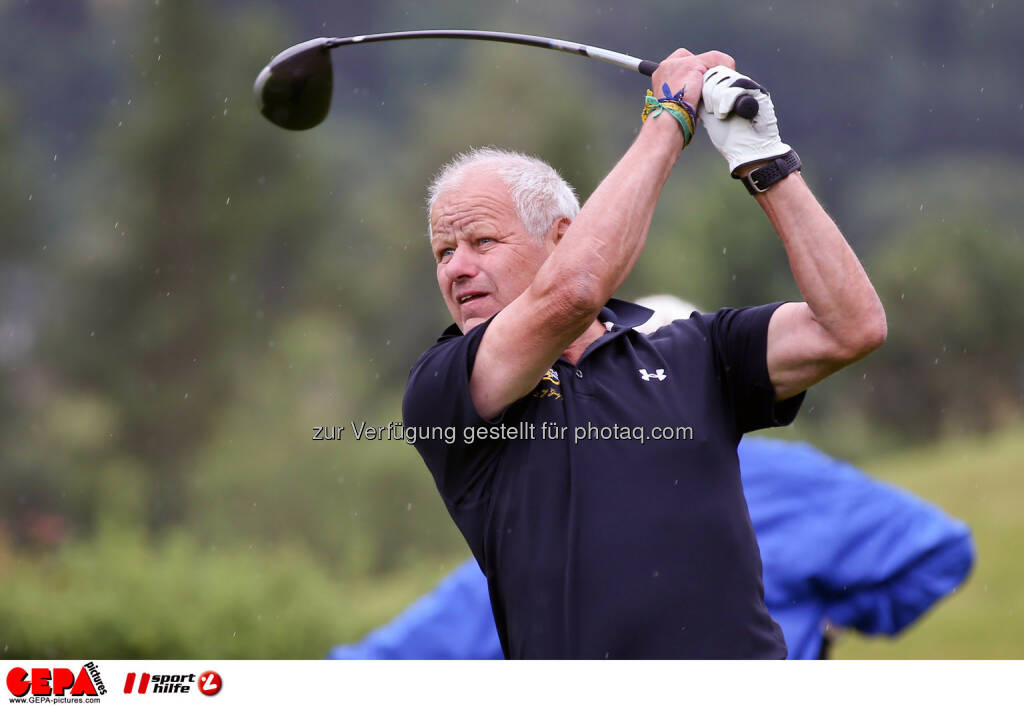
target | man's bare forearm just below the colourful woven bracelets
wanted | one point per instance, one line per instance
(604, 243)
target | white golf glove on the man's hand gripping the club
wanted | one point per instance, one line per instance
(741, 141)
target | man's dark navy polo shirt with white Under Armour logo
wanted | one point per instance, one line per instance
(606, 508)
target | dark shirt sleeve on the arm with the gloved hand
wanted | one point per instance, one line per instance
(740, 338)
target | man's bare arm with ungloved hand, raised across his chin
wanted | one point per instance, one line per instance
(593, 256)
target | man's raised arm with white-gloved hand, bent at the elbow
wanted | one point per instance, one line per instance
(841, 319)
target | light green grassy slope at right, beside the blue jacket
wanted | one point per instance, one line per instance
(979, 481)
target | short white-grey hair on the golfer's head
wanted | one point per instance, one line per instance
(539, 193)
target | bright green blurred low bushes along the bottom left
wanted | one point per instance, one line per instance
(118, 598)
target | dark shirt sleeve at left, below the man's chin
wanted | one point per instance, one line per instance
(439, 408)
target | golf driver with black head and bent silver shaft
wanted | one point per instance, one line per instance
(294, 90)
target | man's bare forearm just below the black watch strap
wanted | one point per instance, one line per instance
(830, 276)
